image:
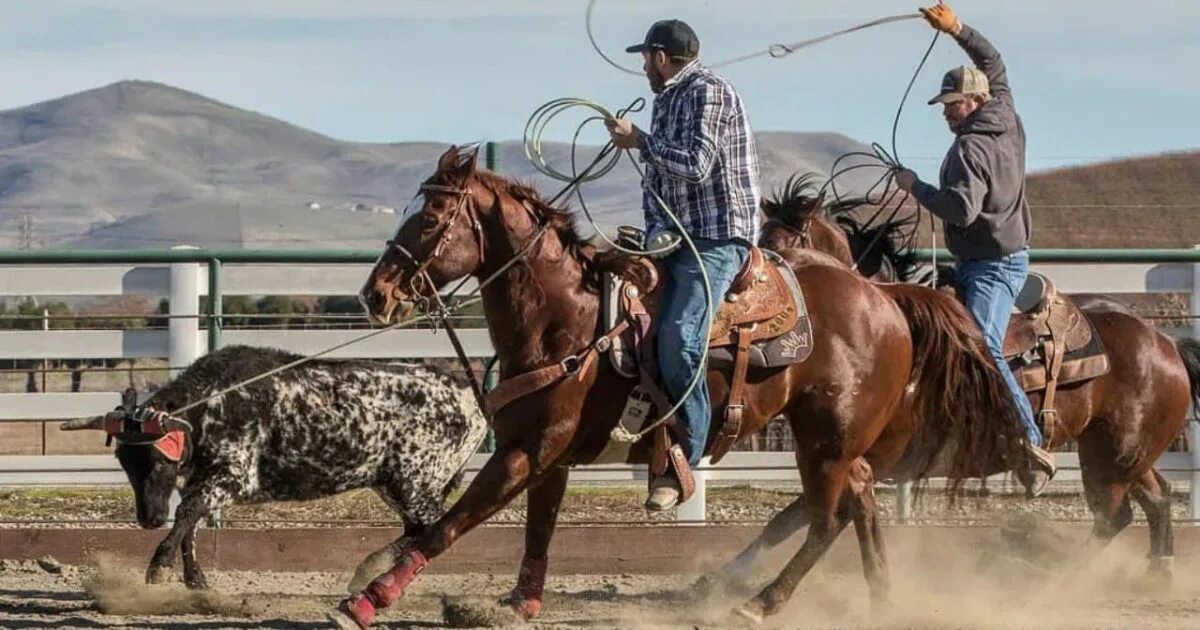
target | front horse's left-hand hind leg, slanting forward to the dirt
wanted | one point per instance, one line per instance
(831, 506)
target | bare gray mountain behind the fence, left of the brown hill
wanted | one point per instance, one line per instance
(141, 165)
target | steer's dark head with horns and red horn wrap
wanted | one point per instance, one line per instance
(152, 447)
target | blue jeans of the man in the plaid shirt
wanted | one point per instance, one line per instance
(683, 331)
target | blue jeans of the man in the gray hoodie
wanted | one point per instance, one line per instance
(991, 290)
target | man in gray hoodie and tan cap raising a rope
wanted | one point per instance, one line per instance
(981, 201)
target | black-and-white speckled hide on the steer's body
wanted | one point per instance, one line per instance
(325, 428)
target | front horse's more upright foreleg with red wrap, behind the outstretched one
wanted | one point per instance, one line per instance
(542, 517)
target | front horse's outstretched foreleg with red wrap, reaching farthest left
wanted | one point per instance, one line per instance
(506, 476)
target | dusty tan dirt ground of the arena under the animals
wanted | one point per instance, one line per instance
(1024, 579)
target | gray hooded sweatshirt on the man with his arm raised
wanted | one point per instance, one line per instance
(982, 195)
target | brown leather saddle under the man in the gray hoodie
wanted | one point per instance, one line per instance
(1051, 343)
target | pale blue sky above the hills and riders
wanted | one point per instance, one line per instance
(1094, 79)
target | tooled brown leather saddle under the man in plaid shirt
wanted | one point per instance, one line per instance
(763, 321)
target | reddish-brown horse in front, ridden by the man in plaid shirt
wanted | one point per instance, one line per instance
(880, 353)
